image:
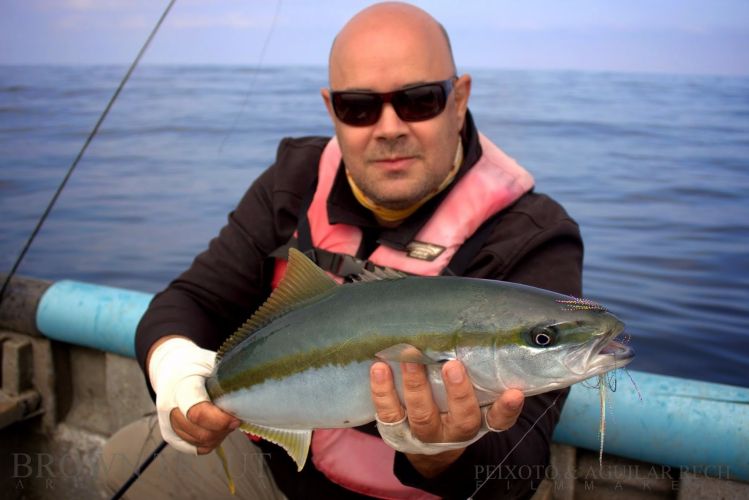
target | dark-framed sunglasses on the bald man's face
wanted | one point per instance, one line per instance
(411, 104)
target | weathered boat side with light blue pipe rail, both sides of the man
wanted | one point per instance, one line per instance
(69, 380)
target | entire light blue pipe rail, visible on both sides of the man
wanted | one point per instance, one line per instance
(685, 424)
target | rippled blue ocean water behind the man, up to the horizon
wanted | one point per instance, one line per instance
(655, 168)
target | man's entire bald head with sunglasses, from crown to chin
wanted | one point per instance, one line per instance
(397, 162)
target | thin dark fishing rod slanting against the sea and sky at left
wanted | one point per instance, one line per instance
(83, 149)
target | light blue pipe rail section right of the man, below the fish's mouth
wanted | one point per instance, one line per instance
(688, 425)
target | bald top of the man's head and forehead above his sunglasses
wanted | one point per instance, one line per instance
(386, 35)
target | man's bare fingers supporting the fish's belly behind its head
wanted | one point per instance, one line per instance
(461, 422)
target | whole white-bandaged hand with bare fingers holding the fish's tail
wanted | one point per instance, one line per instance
(188, 421)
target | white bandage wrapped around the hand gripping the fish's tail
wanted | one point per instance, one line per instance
(177, 370)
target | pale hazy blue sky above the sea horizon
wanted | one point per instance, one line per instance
(664, 36)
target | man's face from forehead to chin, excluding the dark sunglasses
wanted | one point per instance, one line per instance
(394, 162)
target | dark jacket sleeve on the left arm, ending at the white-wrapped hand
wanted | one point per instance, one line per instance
(230, 279)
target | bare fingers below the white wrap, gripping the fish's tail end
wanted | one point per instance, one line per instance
(205, 426)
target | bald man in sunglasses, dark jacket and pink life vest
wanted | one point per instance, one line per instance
(406, 149)
